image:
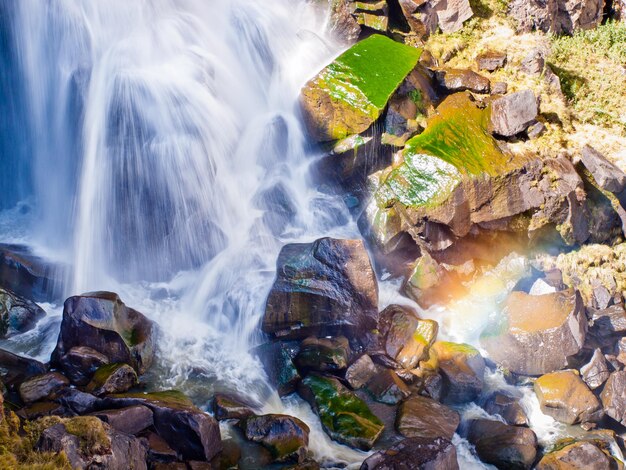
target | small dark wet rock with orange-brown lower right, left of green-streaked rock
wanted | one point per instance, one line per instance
(286, 437)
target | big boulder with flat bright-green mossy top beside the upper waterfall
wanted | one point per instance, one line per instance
(365, 89)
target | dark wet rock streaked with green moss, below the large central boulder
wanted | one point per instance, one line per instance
(344, 416)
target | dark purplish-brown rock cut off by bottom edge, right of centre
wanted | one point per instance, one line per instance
(416, 453)
